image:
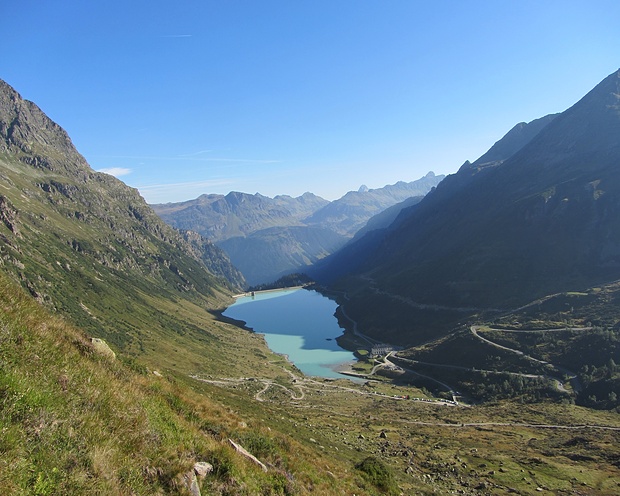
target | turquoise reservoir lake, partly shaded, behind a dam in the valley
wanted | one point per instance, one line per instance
(299, 323)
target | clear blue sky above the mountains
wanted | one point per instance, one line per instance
(286, 96)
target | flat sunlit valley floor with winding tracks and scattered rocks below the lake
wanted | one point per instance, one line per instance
(437, 446)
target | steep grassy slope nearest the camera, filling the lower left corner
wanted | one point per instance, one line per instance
(75, 421)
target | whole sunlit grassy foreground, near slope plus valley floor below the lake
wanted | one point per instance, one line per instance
(74, 421)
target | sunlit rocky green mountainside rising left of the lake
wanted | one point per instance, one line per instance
(88, 245)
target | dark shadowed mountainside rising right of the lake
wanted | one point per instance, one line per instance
(545, 220)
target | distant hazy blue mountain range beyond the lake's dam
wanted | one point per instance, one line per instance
(270, 237)
